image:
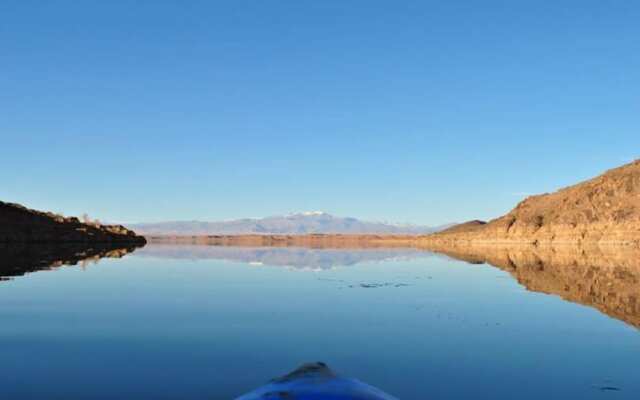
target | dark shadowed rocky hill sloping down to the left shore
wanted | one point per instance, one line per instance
(19, 224)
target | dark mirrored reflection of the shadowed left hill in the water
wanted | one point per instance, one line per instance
(21, 259)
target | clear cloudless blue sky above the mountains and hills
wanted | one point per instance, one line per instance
(408, 111)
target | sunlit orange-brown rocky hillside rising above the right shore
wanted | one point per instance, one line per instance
(602, 210)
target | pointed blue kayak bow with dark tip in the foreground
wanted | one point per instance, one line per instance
(315, 381)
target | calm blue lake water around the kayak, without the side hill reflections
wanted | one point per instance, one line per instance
(201, 322)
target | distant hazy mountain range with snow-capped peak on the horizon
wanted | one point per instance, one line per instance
(293, 224)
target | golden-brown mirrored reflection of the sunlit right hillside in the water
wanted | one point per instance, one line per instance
(603, 277)
